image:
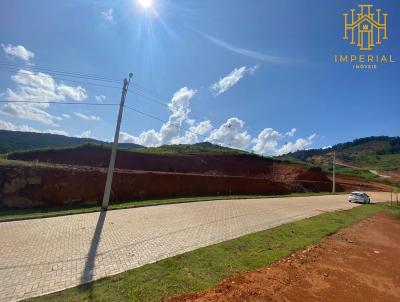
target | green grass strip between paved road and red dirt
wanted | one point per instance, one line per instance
(203, 268)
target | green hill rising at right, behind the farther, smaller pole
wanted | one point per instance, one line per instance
(371, 157)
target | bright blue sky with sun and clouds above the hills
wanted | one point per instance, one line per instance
(240, 73)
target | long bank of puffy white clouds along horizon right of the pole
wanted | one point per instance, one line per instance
(232, 133)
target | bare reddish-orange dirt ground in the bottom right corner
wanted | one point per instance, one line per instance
(360, 263)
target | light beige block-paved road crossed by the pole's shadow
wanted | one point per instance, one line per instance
(46, 255)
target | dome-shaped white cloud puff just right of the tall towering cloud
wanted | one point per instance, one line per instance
(231, 133)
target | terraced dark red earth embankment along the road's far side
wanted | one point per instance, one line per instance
(77, 175)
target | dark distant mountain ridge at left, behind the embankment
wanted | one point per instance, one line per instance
(11, 141)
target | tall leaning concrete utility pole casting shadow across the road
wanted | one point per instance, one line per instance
(107, 190)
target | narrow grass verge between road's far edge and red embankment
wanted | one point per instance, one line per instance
(42, 212)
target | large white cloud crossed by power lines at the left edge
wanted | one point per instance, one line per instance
(38, 87)
